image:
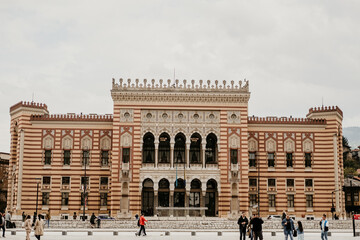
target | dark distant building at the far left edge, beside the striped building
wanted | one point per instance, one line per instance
(4, 173)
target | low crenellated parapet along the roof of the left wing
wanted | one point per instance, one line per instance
(73, 117)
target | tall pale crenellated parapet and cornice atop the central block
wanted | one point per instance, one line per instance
(180, 91)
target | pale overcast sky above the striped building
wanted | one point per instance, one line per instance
(294, 53)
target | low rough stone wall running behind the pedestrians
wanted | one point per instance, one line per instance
(190, 224)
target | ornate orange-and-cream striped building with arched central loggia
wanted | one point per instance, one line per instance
(182, 149)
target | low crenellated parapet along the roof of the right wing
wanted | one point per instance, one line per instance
(285, 120)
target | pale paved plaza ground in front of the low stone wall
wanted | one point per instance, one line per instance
(173, 236)
